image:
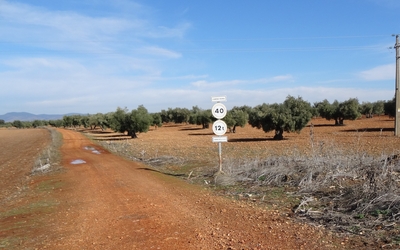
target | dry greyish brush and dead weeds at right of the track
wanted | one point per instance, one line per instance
(346, 190)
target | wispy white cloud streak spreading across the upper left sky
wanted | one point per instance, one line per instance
(64, 30)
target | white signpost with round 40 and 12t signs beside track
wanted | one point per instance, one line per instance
(219, 127)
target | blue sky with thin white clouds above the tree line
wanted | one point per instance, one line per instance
(92, 56)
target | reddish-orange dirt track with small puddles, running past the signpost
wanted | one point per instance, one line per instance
(112, 203)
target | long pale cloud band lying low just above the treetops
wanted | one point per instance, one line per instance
(157, 98)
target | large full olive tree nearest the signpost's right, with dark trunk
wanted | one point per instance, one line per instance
(290, 116)
